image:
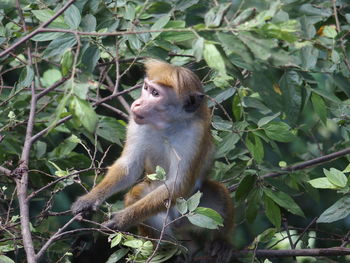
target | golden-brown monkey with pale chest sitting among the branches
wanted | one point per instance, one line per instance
(170, 128)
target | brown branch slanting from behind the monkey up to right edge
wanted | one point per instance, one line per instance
(301, 166)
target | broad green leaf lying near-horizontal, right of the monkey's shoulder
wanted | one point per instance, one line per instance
(279, 131)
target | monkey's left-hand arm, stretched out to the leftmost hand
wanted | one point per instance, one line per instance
(122, 174)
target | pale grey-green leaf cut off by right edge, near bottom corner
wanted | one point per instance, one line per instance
(337, 211)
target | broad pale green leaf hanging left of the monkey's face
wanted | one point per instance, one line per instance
(86, 114)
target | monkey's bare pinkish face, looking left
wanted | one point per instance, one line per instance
(158, 105)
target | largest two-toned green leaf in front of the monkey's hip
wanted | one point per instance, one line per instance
(206, 218)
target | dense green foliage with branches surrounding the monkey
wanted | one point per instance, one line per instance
(277, 73)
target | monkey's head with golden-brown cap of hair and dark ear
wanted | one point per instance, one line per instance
(169, 94)
